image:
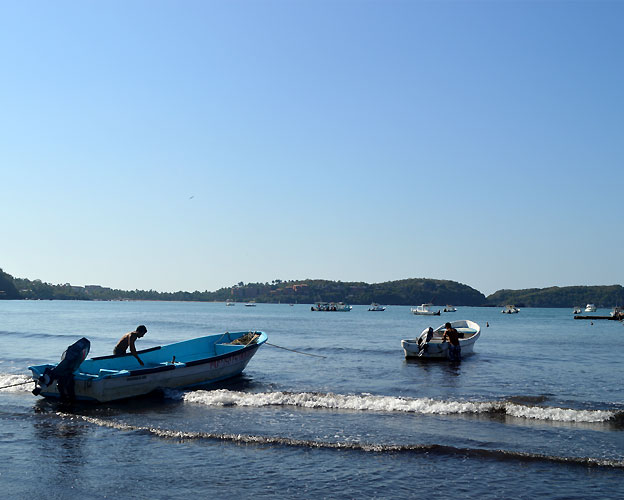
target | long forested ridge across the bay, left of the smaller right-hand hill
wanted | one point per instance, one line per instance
(403, 292)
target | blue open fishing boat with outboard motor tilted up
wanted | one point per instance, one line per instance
(180, 365)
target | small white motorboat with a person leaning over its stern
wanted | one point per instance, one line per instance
(429, 344)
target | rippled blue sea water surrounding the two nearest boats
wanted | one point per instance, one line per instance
(537, 411)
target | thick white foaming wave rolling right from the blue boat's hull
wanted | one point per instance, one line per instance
(369, 402)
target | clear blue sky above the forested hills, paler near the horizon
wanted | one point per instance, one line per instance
(191, 145)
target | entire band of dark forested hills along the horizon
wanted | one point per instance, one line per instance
(412, 291)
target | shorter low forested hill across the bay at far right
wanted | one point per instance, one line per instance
(568, 296)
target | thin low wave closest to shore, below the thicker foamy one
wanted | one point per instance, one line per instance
(363, 447)
